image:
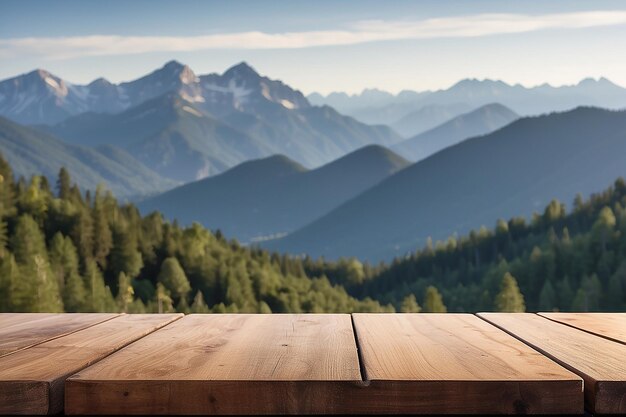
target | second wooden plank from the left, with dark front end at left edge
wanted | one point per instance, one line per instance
(32, 380)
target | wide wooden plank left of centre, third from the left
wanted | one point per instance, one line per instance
(226, 364)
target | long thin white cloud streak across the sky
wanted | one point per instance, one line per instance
(357, 33)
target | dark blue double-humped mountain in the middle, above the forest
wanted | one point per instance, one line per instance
(274, 195)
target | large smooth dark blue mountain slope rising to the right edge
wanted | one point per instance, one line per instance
(510, 172)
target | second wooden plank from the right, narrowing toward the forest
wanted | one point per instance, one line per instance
(600, 362)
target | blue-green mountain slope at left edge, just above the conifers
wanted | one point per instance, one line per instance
(32, 152)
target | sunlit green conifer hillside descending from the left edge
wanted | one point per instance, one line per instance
(64, 251)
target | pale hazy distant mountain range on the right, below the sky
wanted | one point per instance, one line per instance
(411, 113)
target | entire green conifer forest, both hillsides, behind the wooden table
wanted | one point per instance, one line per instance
(65, 250)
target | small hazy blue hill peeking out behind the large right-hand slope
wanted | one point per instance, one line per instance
(481, 121)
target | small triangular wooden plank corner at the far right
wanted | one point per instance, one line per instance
(609, 325)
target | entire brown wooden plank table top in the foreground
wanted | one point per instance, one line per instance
(489, 363)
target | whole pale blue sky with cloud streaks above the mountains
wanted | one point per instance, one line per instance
(321, 45)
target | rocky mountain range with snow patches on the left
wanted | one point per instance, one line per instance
(184, 126)
